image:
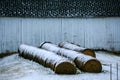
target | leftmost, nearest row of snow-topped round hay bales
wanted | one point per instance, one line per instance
(57, 63)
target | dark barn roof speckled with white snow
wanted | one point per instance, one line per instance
(60, 8)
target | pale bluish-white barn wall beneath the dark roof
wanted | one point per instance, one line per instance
(95, 33)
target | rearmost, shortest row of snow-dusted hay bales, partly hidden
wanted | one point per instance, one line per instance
(77, 48)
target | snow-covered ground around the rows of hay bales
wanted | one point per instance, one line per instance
(16, 68)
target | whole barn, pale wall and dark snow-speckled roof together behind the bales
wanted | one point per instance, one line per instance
(90, 23)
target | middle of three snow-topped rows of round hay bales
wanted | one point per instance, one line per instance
(83, 62)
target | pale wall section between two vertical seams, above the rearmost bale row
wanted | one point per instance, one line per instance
(72, 30)
